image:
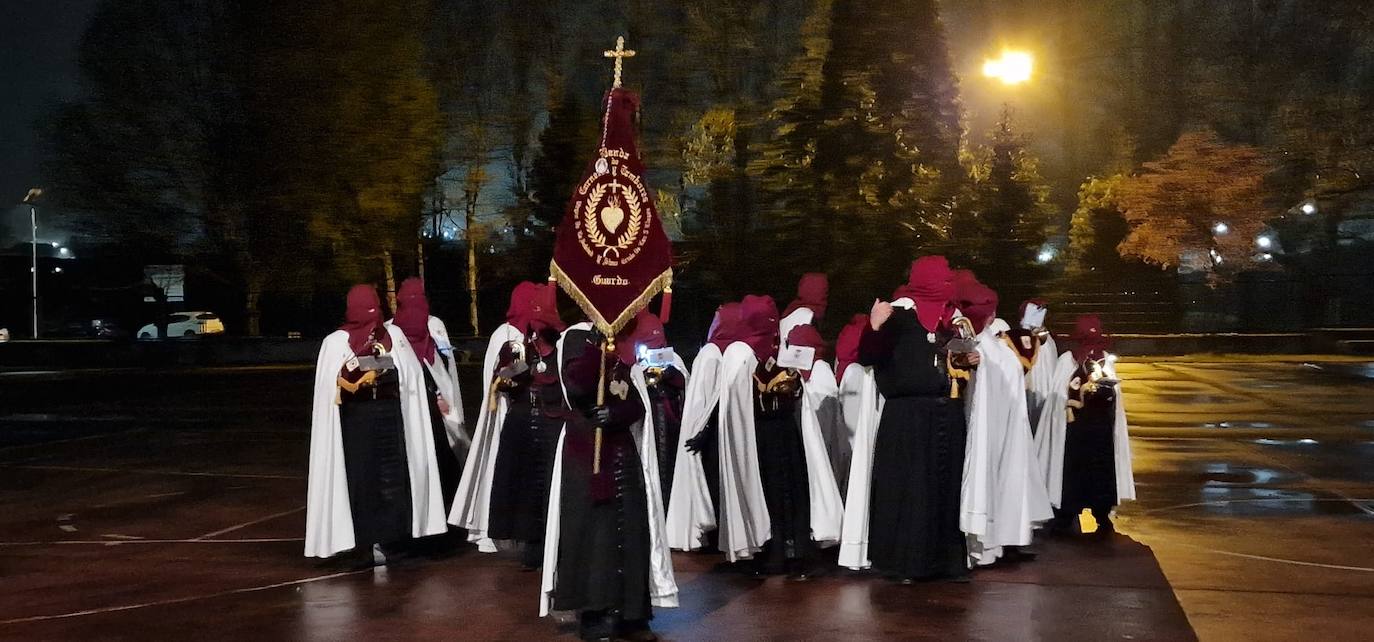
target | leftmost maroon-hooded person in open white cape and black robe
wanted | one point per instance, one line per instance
(374, 482)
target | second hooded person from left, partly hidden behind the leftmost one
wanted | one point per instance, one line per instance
(429, 339)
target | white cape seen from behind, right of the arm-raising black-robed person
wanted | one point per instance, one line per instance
(1002, 497)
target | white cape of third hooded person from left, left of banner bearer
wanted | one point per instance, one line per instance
(472, 505)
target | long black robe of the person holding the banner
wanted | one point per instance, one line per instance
(604, 551)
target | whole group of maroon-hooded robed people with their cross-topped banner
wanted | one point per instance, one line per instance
(934, 441)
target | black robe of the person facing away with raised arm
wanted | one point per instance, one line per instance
(919, 456)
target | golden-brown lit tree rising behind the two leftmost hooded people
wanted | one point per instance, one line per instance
(354, 124)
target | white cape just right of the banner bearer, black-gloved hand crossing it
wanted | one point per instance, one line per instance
(690, 509)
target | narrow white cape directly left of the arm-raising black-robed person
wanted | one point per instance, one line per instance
(862, 408)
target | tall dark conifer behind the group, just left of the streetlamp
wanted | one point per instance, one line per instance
(862, 162)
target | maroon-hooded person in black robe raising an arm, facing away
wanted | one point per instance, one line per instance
(913, 530)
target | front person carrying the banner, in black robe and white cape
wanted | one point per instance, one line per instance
(605, 546)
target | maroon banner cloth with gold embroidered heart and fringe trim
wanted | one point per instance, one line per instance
(612, 254)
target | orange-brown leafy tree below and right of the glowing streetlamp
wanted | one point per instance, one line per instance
(1202, 206)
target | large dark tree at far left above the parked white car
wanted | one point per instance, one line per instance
(160, 156)
